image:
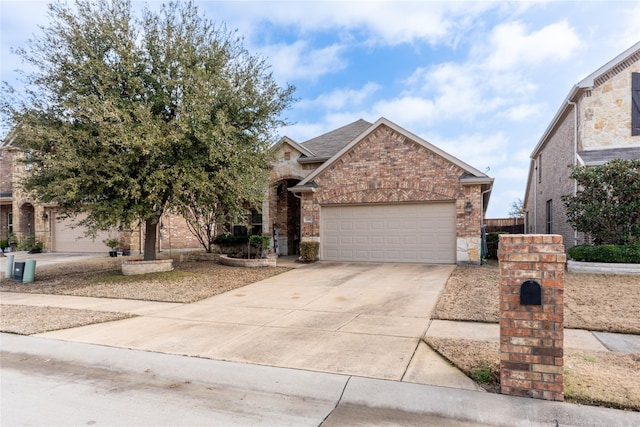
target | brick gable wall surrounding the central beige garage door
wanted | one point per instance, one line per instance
(388, 167)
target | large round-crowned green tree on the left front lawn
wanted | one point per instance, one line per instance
(126, 117)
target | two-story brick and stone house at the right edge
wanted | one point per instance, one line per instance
(598, 121)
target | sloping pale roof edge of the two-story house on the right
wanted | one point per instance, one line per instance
(598, 77)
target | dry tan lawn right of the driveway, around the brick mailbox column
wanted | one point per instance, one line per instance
(592, 301)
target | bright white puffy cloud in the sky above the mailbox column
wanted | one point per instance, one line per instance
(510, 45)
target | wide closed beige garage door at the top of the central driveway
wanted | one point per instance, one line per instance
(423, 233)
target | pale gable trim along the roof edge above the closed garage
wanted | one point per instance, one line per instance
(471, 174)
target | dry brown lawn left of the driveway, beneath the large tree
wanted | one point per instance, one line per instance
(190, 281)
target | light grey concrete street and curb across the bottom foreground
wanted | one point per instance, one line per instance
(244, 394)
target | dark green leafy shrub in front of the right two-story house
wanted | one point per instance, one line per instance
(607, 203)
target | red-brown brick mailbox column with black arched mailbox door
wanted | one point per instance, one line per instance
(531, 315)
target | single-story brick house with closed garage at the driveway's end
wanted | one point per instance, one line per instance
(376, 192)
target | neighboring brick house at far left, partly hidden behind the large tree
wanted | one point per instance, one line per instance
(22, 216)
